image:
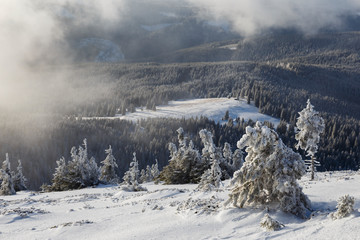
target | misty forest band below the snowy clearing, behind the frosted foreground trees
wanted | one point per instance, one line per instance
(147, 138)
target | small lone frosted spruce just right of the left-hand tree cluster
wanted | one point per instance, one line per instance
(107, 170)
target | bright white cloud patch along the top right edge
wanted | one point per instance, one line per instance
(251, 17)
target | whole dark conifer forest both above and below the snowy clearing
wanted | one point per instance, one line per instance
(278, 86)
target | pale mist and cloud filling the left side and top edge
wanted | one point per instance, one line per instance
(38, 37)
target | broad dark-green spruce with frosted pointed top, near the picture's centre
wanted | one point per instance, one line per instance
(185, 164)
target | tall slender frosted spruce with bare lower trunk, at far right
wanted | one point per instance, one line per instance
(310, 125)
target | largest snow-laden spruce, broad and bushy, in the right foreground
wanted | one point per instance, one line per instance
(269, 174)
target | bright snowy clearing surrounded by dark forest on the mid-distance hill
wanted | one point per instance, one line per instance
(212, 108)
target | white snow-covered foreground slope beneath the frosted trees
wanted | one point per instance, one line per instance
(172, 212)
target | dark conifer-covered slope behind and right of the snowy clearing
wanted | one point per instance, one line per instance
(278, 89)
